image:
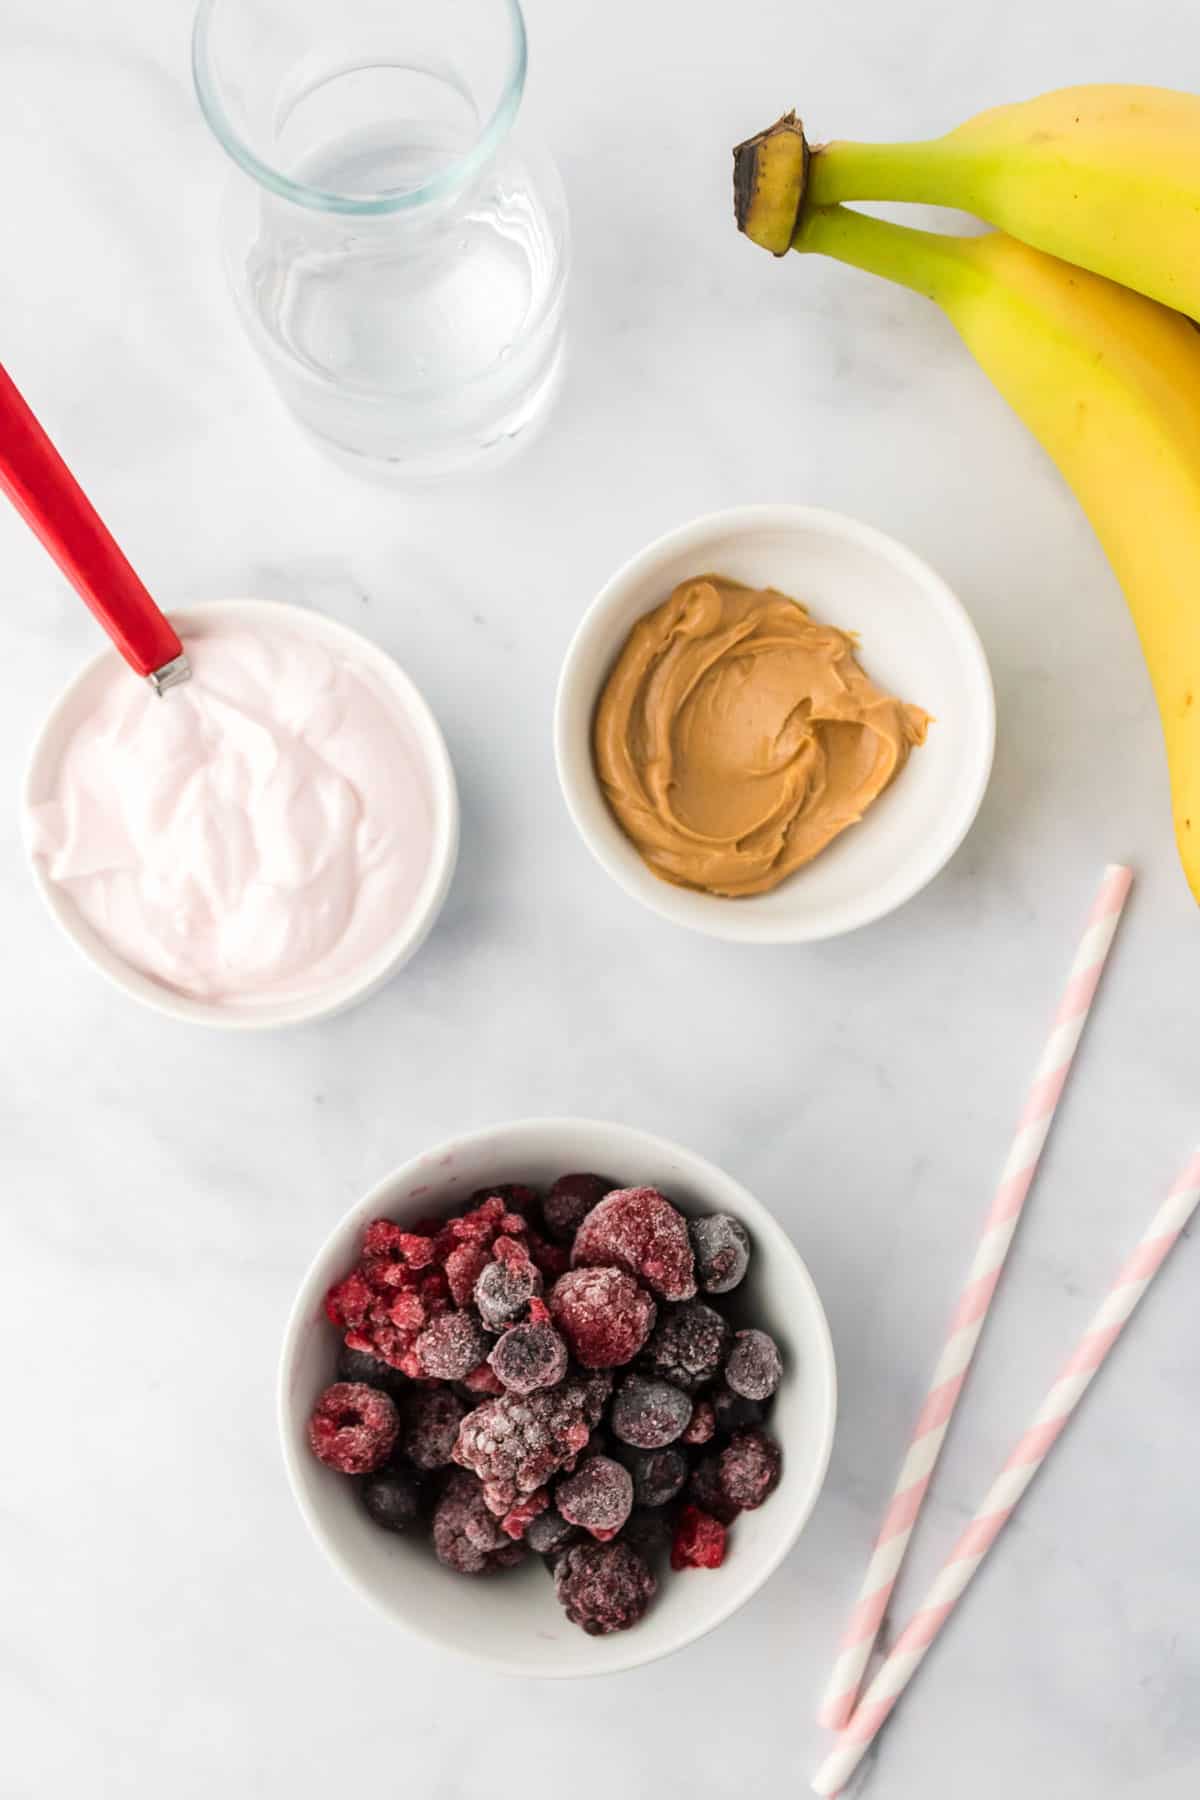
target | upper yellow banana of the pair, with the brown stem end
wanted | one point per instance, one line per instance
(1106, 177)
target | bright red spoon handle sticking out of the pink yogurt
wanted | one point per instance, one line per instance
(53, 503)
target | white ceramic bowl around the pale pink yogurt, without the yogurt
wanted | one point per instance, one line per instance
(415, 928)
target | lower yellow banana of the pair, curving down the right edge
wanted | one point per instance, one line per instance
(1111, 384)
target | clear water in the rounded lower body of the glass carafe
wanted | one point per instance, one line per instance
(425, 336)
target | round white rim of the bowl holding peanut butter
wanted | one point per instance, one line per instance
(735, 921)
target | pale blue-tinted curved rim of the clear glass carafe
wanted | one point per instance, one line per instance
(447, 181)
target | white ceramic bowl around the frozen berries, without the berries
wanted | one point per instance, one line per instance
(514, 1621)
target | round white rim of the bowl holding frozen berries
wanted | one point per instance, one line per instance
(312, 1291)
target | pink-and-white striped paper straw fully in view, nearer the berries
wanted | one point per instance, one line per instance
(972, 1309)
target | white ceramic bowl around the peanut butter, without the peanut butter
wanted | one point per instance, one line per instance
(917, 642)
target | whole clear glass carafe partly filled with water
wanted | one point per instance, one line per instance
(397, 255)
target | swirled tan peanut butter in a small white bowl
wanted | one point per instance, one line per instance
(737, 737)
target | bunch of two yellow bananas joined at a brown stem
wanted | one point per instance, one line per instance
(1080, 309)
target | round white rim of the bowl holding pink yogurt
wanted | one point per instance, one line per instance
(429, 903)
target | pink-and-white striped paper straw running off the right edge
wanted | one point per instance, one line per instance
(1012, 1482)
